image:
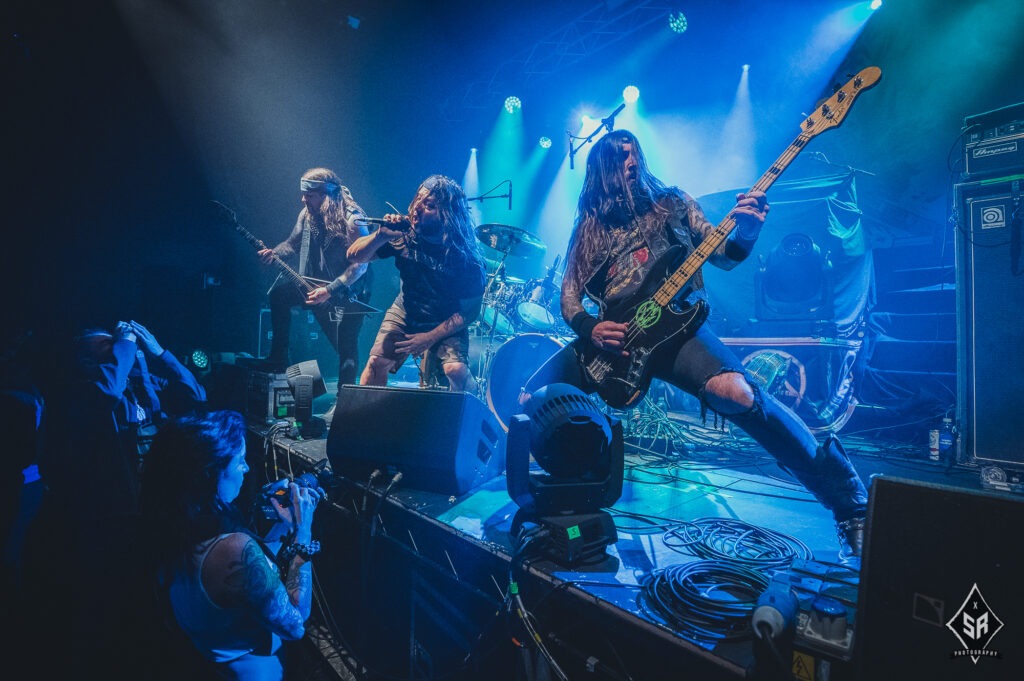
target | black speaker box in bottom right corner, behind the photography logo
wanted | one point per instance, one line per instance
(941, 594)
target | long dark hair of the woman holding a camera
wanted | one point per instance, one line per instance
(181, 506)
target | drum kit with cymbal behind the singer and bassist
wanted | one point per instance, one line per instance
(521, 324)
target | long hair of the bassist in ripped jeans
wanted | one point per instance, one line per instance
(608, 198)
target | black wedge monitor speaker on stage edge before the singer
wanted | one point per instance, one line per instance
(441, 442)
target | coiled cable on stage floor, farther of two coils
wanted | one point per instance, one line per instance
(737, 542)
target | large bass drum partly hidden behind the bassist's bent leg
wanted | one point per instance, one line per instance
(514, 364)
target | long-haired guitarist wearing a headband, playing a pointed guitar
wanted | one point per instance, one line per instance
(328, 224)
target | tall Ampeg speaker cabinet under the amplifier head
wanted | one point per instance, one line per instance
(991, 328)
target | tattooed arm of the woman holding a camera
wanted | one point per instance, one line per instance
(239, 574)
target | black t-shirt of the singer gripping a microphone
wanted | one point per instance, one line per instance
(432, 285)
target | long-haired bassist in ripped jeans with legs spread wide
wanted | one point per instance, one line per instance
(630, 233)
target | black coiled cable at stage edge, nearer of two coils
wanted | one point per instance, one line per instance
(706, 601)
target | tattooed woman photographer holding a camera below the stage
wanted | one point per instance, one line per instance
(221, 581)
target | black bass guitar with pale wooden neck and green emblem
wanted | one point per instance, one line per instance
(651, 316)
